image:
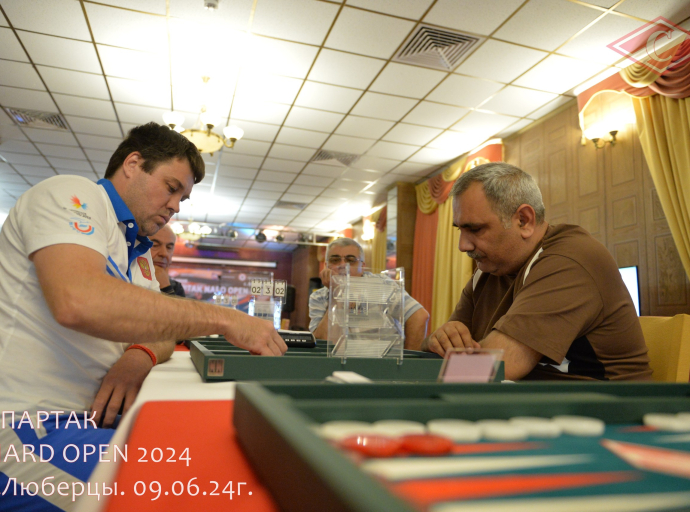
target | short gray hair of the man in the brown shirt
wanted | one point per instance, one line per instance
(506, 187)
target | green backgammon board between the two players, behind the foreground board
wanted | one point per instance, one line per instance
(217, 360)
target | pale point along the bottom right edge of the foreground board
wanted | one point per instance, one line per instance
(613, 503)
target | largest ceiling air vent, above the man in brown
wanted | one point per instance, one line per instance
(436, 48)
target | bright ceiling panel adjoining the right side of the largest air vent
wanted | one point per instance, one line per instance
(503, 62)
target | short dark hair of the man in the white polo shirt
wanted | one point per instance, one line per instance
(157, 144)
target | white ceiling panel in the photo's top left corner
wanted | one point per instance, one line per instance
(56, 17)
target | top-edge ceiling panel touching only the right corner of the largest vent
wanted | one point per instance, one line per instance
(551, 23)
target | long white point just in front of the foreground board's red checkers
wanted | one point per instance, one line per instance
(429, 467)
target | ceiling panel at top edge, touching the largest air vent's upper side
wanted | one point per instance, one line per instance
(474, 16)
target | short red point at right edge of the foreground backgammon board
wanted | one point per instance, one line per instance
(661, 460)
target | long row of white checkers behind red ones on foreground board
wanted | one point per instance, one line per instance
(519, 428)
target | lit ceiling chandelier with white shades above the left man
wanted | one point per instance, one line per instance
(201, 133)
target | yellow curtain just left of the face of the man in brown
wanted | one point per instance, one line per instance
(452, 268)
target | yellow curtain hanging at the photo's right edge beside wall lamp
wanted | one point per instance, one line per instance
(664, 127)
